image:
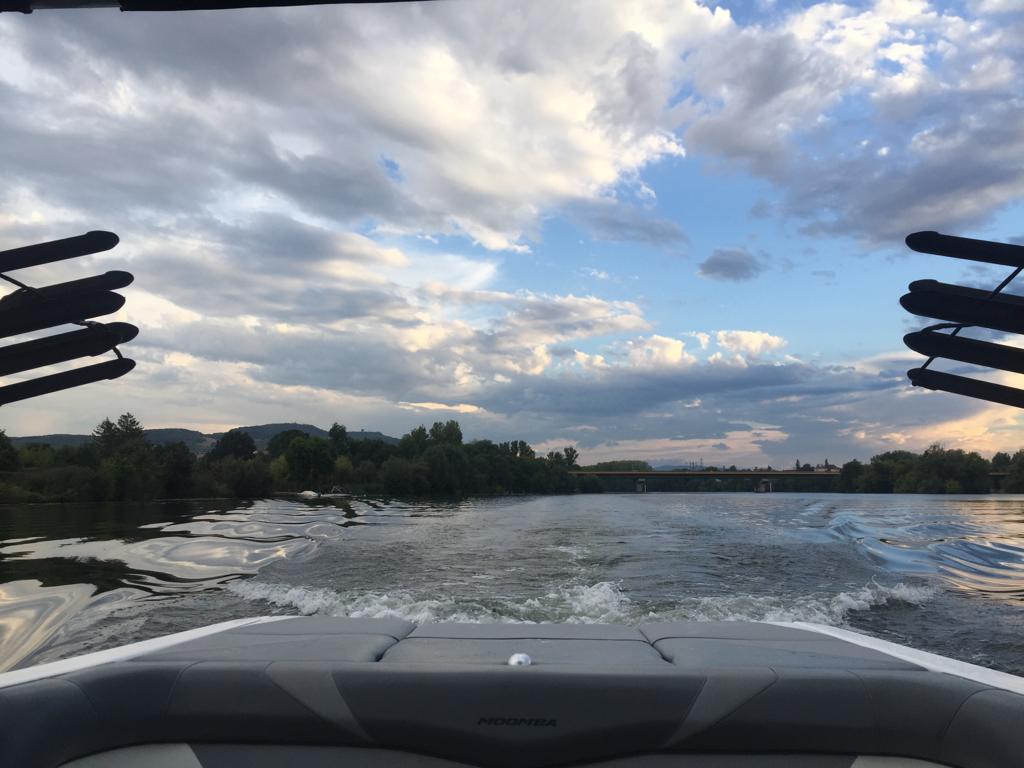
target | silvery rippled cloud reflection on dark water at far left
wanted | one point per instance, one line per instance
(156, 560)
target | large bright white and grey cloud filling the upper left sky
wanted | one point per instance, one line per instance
(280, 107)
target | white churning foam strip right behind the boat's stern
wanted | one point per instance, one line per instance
(600, 604)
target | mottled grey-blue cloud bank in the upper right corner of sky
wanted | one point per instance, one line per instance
(788, 101)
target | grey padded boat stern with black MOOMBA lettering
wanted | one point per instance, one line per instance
(318, 692)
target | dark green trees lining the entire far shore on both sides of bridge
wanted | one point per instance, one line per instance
(119, 464)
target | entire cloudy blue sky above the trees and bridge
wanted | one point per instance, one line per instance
(657, 230)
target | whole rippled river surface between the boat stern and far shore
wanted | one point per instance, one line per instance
(944, 574)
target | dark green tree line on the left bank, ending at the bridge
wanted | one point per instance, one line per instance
(118, 463)
